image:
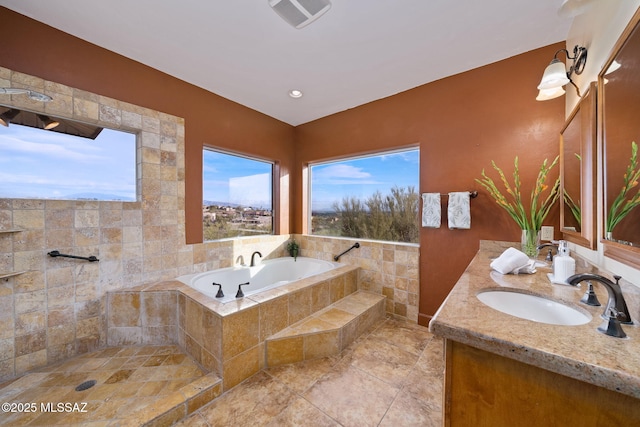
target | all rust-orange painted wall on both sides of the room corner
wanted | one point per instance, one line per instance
(460, 123)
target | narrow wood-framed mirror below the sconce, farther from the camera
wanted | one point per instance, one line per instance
(577, 166)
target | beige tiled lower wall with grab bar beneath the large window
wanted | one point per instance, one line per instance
(389, 269)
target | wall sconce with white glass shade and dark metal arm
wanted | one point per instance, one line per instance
(555, 75)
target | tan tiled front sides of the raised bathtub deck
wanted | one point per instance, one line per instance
(227, 339)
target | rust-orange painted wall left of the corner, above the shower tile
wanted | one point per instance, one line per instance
(34, 48)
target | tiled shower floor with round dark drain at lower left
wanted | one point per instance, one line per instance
(133, 386)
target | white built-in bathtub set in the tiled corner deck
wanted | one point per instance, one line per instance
(266, 275)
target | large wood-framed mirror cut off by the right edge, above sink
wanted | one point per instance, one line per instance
(620, 88)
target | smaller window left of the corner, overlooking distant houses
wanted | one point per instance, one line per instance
(237, 196)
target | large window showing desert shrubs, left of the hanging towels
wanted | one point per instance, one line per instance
(373, 197)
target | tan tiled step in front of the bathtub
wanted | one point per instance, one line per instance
(326, 332)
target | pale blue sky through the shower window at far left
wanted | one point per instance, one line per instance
(35, 163)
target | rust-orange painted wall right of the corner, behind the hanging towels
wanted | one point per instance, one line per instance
(461, 123)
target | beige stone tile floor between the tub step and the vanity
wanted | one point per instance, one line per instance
(391, 376)
